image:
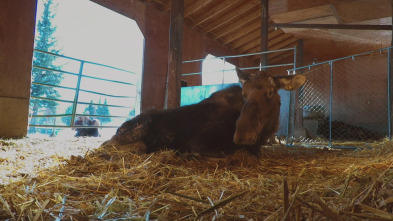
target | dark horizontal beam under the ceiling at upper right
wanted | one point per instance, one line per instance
(331, 26)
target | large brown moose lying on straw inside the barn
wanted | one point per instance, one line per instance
(233, 118)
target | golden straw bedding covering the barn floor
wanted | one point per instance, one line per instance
(51, 179)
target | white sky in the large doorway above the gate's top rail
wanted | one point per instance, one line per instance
(88, 31)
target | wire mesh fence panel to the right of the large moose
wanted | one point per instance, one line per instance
(344, 102)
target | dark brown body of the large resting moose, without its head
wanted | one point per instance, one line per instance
(204, 128)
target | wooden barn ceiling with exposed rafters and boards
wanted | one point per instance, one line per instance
(236, 24)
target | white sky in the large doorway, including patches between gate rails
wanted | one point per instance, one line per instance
(88, 31)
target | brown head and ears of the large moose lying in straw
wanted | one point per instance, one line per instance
(259, 118)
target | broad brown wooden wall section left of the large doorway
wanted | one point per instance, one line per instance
(17, 21)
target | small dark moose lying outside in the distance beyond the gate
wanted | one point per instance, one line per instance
(85, 131)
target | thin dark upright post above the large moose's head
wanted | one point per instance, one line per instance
(264, 32)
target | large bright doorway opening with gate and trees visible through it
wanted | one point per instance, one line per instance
(87, 64)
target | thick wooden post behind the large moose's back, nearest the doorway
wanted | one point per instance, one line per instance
(173, 87)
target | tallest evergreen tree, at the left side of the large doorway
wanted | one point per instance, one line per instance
(45, 41)
